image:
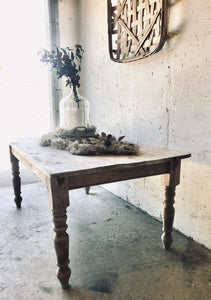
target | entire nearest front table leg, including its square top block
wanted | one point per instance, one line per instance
(59, 201)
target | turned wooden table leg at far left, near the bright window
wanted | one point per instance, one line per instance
(16, 180)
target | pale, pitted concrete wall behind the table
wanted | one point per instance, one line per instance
(163, 100)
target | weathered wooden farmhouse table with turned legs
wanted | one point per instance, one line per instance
(62, 171)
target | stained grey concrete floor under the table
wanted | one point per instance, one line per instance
(115, 252)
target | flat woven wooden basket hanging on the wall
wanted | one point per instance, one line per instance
(136, 28)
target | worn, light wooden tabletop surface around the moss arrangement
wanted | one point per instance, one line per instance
(49, 162)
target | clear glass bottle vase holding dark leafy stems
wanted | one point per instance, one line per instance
(74, 111)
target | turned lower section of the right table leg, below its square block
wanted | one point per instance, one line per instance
(168, 216)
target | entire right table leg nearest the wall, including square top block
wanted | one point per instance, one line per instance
(170, 181)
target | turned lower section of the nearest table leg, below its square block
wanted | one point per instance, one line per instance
(61, 243)
